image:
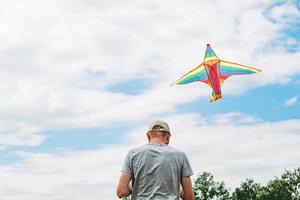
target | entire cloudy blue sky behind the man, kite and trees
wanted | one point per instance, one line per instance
(81, 80)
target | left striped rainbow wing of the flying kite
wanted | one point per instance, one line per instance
(197, 74)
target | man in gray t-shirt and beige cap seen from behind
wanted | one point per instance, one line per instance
(156, 170)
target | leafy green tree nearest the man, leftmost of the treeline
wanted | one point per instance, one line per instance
(205, 188)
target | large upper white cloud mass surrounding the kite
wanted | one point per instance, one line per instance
(57, 57)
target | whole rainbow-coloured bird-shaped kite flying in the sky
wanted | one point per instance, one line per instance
(214, 72)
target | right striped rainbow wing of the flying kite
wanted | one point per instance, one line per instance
(230, 68)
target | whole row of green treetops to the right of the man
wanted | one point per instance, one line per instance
(286, 187)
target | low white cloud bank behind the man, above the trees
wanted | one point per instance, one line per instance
(232, 150)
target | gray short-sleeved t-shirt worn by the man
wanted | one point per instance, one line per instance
(156, 171)
